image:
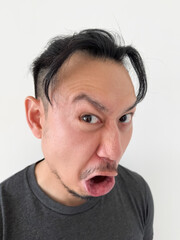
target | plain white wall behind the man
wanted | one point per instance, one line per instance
(153, 28)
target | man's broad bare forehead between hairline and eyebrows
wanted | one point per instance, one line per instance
(101, 78)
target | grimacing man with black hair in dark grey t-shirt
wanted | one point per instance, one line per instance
(82, 111)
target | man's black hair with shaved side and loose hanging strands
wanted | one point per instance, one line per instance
(96, 42)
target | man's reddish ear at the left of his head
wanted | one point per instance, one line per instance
(34, 114)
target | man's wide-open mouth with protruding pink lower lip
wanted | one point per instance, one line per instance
(99, 185)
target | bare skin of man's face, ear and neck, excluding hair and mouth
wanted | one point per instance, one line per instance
(73, 143)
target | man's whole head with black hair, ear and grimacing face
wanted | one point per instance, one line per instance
(83, 109)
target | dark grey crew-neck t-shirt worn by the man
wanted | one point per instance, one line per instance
(27, 213)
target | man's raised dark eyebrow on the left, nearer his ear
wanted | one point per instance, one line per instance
(92, 101)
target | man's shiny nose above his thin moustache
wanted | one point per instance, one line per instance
(111, 144)
